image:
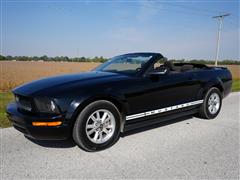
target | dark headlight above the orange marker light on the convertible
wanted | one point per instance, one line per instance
(46, 105)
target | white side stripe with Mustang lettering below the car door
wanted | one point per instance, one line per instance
(162, 110)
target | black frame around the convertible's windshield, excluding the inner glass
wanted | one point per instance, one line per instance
(154, 58)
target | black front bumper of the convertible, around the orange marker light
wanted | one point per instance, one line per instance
(23, 123)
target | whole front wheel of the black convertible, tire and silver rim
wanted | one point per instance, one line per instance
(97, 126)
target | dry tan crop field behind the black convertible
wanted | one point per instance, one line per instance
(15, 73)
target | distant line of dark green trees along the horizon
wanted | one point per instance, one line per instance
(102, 59)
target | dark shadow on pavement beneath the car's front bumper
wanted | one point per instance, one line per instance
(53, 143)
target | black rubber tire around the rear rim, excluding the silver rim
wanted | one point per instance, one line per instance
(204, 111)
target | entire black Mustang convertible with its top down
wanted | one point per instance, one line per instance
(128, 91)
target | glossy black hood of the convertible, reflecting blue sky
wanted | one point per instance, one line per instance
(57, 82)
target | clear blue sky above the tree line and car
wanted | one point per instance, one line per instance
(177, 29)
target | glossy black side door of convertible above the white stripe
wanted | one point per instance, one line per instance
(167, 90)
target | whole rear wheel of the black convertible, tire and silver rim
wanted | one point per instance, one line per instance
(212, 104)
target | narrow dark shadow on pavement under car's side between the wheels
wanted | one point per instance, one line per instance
(157, 125)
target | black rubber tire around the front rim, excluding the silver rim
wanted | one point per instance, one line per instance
(79, 130)
